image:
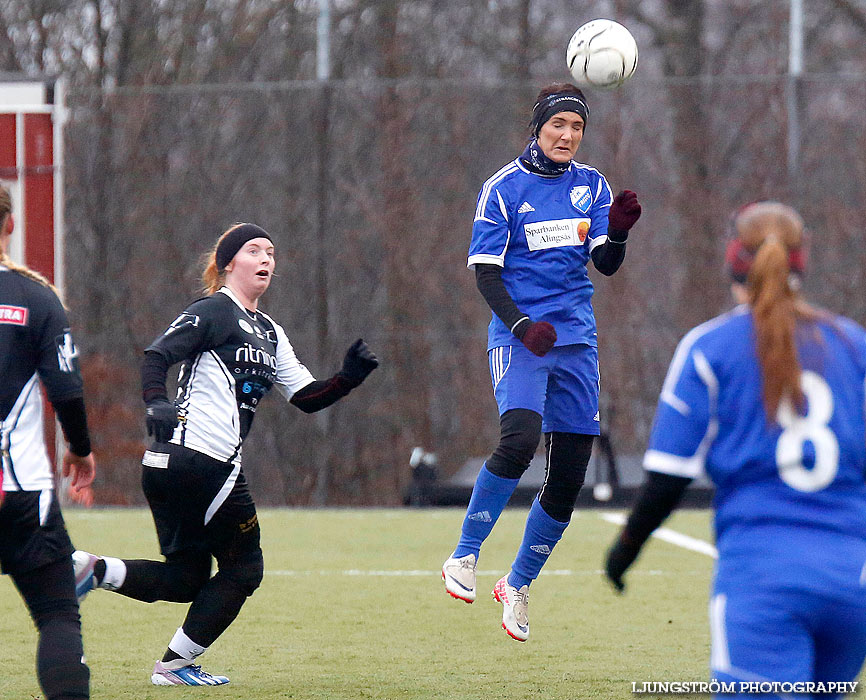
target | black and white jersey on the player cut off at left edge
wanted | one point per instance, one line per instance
(35, 348)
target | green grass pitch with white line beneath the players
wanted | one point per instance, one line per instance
(352, 606)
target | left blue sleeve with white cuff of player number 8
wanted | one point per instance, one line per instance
(685, 422)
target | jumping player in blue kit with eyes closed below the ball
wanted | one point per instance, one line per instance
(538, 222)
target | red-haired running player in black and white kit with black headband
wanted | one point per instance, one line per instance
(232, 354)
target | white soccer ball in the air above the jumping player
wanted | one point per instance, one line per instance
(601, 54)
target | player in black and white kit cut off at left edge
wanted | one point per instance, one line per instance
(36, 352)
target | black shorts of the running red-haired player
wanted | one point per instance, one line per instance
(198, 502)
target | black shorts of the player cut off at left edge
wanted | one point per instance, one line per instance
(25, 544)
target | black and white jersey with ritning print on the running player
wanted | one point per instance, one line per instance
(231, 358)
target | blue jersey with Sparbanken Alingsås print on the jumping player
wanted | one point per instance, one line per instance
(540, 231)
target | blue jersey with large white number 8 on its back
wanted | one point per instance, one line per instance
(799, 476)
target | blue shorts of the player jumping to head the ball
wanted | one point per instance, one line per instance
(562, 386)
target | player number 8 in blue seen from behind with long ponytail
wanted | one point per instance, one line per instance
(769, 400)
